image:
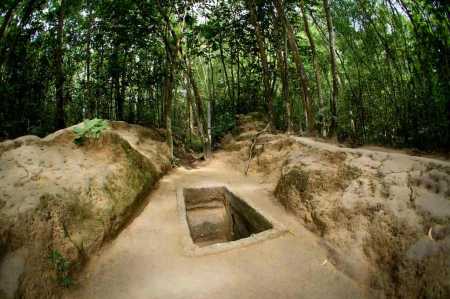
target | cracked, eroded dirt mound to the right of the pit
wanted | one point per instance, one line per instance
(384, 217)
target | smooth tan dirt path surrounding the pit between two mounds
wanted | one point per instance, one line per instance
(148, 260)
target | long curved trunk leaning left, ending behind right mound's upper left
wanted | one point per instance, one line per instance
(307, 105)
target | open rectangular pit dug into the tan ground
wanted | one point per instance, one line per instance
(215, 215)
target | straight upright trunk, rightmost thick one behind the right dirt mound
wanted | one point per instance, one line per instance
(332, 38)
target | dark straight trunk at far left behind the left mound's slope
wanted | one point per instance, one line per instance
(59, 71)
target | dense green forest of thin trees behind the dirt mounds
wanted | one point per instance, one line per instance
(366, 72)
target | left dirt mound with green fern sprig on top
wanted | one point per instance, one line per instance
(59, 202)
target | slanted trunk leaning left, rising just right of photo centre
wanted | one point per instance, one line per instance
(262, 55)
